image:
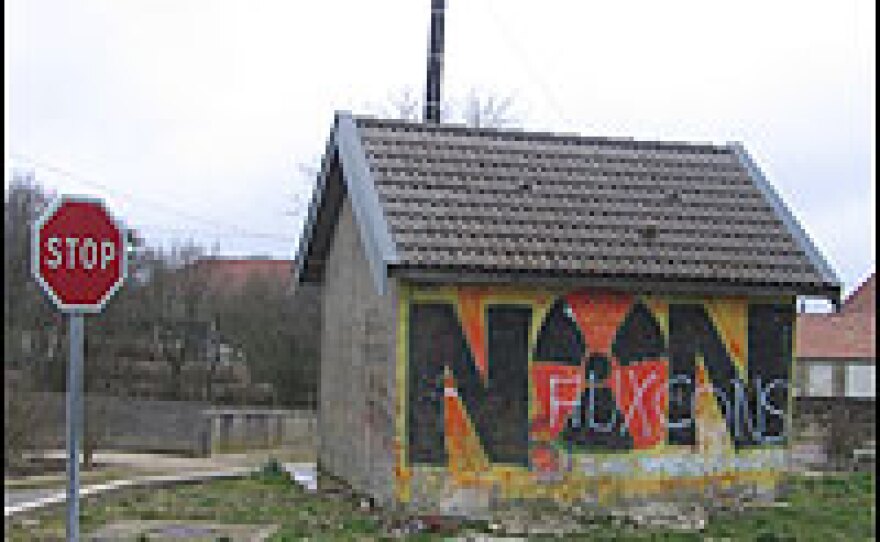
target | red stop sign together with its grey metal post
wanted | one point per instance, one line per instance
(80, 258)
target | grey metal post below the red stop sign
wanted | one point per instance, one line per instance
(74, 421)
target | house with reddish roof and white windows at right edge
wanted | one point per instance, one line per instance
(836, 353)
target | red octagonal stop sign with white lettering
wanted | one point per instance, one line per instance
(79, 254)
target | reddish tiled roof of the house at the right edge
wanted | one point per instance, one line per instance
(848, 334)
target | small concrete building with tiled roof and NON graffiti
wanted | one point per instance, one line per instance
(510, 316)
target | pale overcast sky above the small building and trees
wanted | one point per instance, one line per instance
(192, 118)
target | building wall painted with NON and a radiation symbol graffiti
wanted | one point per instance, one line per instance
(588, 395)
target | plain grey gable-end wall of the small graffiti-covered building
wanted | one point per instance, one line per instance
(355, 420)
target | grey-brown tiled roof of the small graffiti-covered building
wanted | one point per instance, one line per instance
(466, 201)
